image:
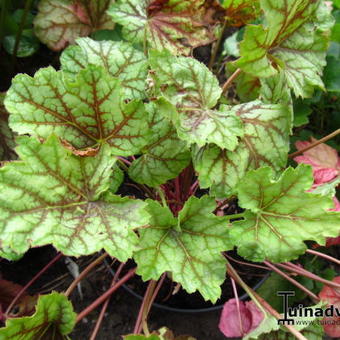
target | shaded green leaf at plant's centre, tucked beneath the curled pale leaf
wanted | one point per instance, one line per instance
(164, 157)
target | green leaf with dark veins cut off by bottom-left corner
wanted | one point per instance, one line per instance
(54, 319)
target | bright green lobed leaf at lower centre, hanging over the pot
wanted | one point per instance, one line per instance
(189, 246)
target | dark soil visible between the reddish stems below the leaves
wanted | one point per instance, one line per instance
(123, 308)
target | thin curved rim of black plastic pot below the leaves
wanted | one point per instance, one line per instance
(185, 310)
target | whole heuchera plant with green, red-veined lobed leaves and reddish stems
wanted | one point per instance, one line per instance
(145, 110)
